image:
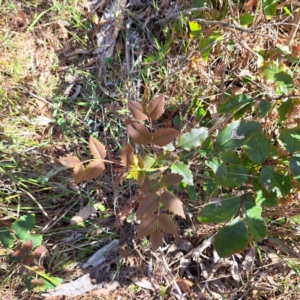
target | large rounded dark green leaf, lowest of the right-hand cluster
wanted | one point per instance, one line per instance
(232, 238)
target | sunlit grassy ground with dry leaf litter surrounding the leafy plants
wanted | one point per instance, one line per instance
(57, 89)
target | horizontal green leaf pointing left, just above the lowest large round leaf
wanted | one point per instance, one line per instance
(220, 211)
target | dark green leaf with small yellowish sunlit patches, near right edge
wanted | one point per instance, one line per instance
(275, 181)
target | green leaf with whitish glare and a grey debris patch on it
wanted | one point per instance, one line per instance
(235, 135)
